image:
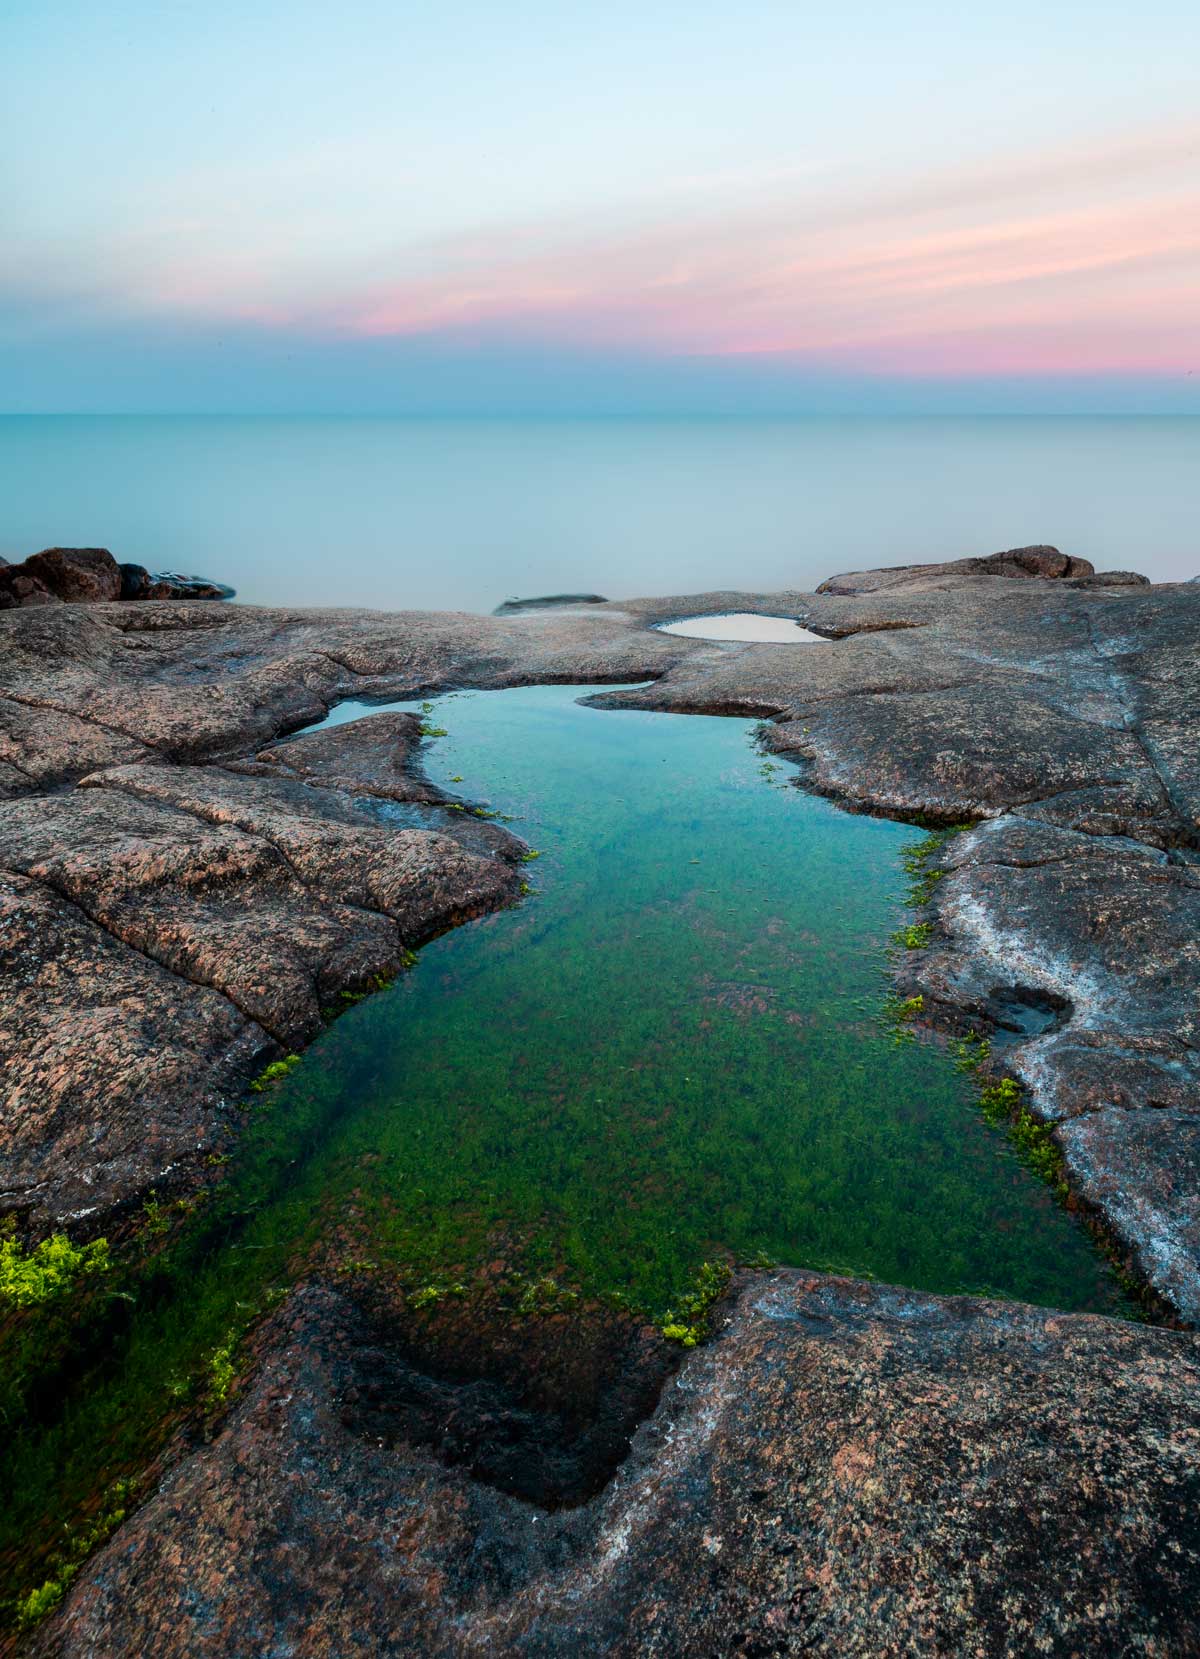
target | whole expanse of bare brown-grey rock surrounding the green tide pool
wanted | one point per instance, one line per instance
(846, 1469)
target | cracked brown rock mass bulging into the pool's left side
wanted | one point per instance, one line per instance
(261, 898)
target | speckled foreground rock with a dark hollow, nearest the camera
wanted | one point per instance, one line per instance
(844, 1471)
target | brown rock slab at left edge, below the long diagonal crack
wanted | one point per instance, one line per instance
(114, 1068)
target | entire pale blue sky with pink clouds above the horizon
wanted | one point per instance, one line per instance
(469, 207)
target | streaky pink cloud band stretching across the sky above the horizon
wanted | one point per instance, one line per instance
(1071, 263)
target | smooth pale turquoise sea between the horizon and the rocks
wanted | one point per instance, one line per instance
(466, 513)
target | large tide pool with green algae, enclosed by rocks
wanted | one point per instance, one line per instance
(675, 1056)
